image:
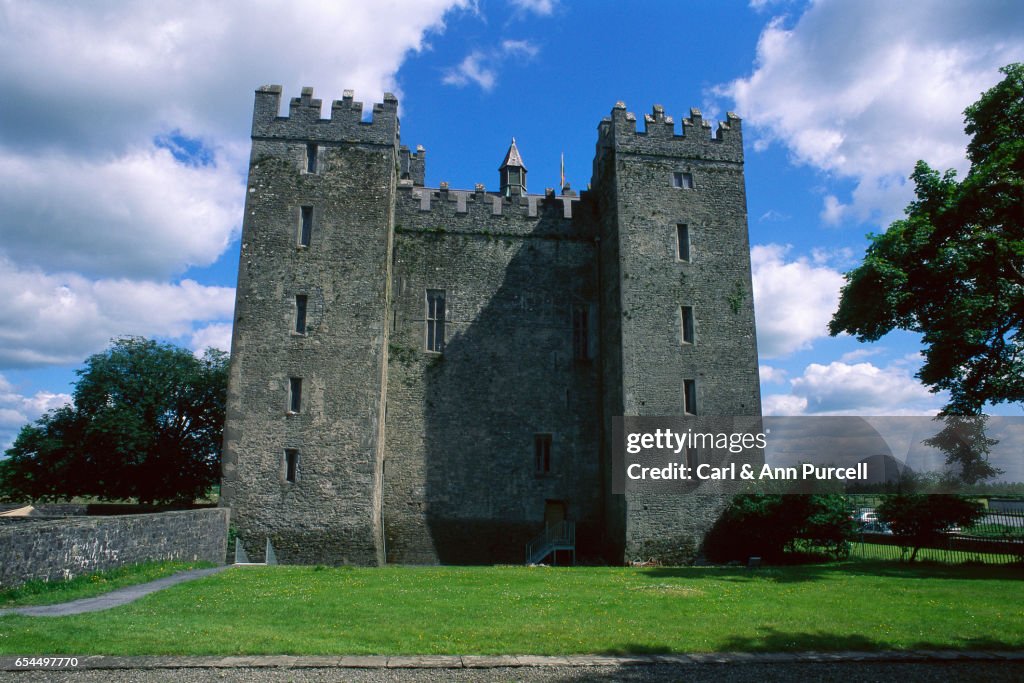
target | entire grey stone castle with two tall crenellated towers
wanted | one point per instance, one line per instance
(429, 375)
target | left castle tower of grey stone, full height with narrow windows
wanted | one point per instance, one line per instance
(337, 363)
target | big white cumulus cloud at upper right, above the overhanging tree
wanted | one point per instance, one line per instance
(863, 91)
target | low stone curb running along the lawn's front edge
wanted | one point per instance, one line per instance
(501, 661)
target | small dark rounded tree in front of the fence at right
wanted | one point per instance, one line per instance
(922, 520)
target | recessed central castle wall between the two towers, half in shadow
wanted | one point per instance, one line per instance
(461, 482)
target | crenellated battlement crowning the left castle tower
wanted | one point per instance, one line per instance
(305, 121)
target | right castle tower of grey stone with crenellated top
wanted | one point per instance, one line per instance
(681, 313)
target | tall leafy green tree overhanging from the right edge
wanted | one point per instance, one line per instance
(954, 270)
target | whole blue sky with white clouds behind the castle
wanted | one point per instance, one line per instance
(124, 149)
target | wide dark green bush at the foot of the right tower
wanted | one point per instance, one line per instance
(767, 527)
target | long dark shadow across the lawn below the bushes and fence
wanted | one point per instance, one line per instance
(806, 573)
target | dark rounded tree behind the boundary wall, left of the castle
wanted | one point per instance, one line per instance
(147, 423)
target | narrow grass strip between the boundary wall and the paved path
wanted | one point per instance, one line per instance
(51, 592)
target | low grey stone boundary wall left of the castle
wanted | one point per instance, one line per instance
(56, 550)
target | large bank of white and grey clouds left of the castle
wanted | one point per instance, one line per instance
(124, 145)
